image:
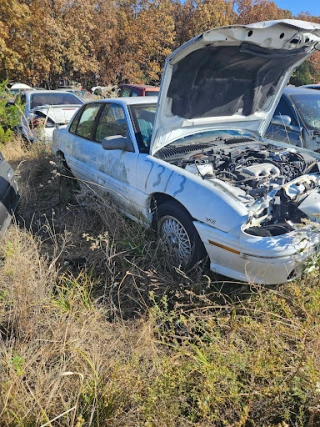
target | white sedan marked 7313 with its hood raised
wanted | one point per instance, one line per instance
(195, 165)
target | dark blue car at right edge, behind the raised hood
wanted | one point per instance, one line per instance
(296, 119)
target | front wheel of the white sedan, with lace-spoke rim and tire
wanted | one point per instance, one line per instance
(181, 239)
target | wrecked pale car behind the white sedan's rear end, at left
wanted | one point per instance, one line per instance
(43, 111)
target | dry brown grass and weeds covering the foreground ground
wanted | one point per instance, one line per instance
(97, 330)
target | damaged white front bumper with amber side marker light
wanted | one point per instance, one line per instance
(262, 260)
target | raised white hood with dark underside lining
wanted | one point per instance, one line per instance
(230, 77)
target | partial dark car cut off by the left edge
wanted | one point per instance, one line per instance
(9, 194)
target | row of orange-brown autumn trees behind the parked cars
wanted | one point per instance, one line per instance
(50, 42)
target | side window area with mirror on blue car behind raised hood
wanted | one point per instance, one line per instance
(290, 133)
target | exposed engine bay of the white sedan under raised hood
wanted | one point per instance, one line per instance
(280, 186)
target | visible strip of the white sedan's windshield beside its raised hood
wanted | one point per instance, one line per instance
(144, 115)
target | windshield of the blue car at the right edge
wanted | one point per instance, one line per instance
(308, 107)
